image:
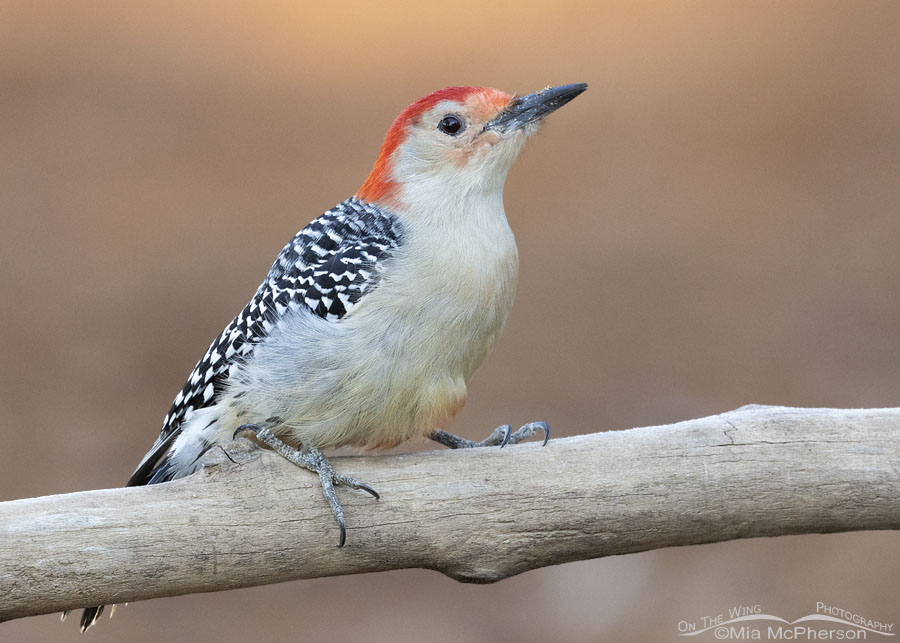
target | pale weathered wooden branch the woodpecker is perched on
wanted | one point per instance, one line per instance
(251, 518)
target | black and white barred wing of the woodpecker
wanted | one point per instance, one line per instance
(326, 269)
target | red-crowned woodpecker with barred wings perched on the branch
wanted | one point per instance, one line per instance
(374, 318)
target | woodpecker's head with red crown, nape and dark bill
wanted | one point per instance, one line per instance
(458, 140)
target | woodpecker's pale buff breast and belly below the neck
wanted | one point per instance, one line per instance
(399, 363)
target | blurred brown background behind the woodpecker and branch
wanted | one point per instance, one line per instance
(714, 223)
